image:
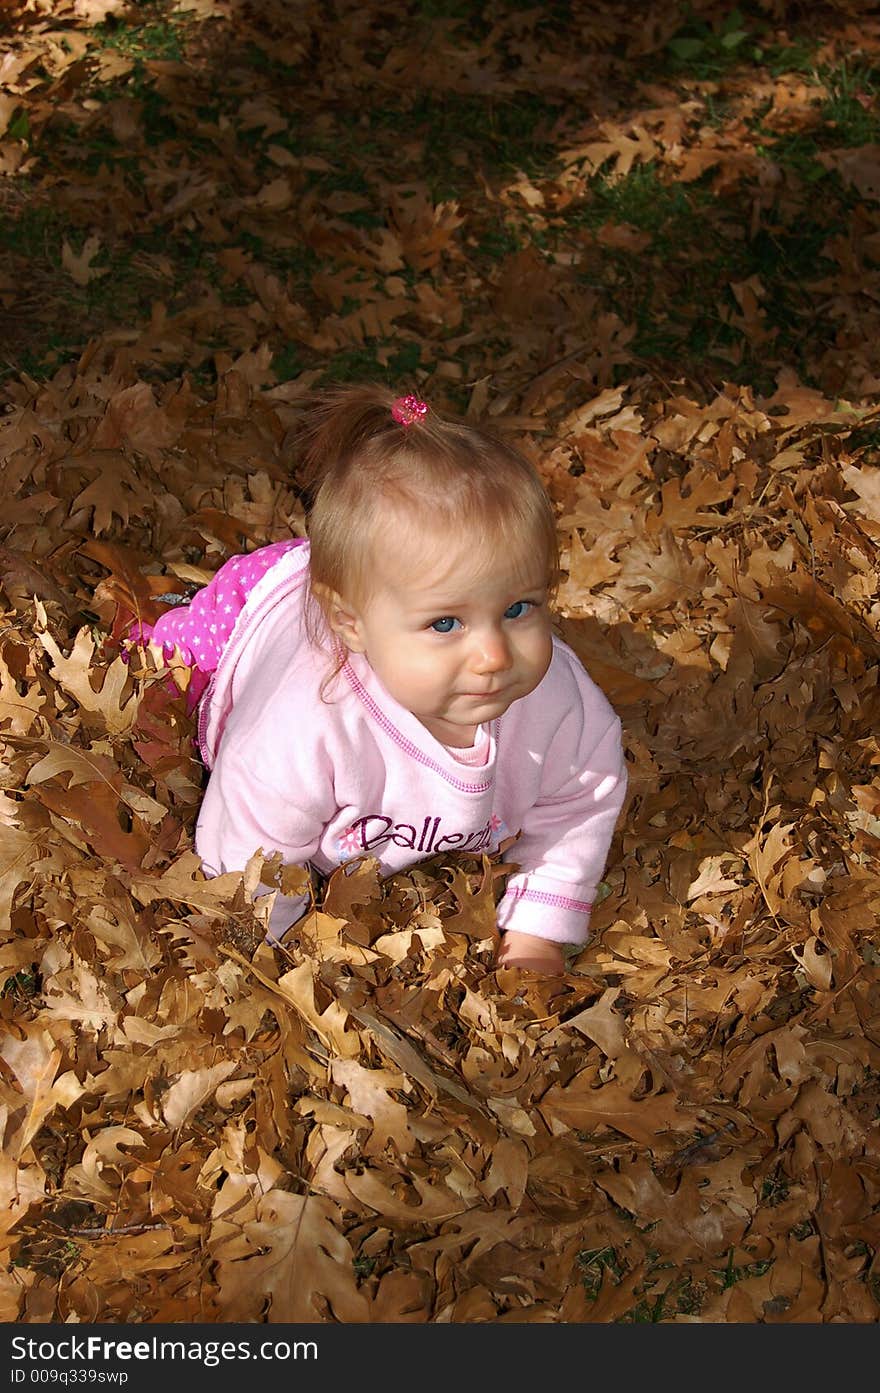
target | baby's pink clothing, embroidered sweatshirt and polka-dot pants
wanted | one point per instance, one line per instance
(324, 782)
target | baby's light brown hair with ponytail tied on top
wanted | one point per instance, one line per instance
(356, 466)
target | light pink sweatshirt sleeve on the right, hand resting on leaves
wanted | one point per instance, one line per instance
(566, 835)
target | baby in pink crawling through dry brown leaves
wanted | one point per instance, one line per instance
(392, 687)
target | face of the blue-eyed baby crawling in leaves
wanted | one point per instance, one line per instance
(453, 640)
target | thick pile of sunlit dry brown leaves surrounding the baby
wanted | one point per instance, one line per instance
(374, 1125)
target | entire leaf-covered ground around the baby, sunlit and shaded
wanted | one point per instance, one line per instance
(647, 247)
